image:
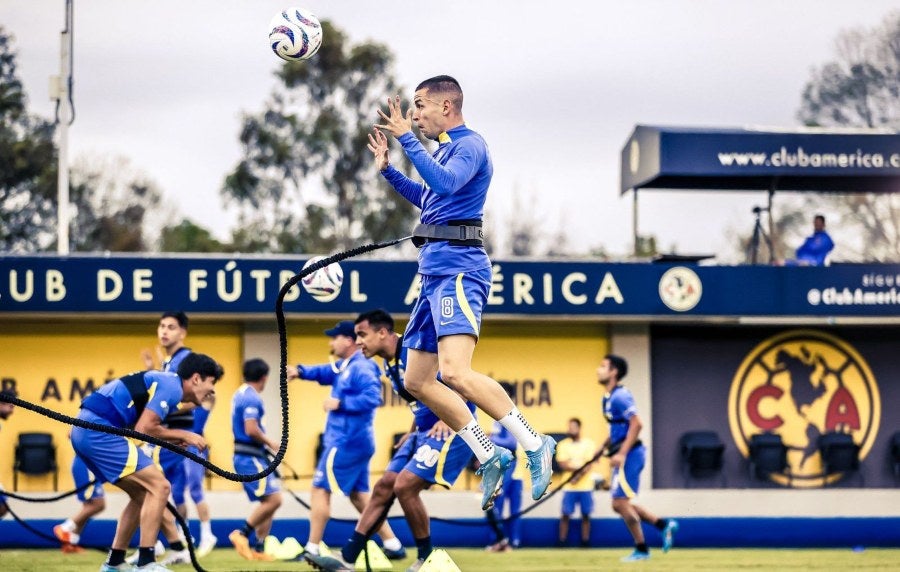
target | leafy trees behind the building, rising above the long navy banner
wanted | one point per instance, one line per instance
(301, 184)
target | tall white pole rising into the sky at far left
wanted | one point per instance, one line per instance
(61, 93)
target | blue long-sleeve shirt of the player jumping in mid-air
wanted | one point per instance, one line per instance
(456, 179)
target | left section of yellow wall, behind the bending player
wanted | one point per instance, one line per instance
(52, 363)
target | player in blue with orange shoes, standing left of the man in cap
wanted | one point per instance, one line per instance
(251, 446)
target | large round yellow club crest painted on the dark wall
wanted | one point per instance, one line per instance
(801, 384)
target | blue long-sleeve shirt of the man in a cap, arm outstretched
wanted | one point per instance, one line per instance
(356, 382)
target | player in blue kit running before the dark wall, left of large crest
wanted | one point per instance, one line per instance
(627, 456)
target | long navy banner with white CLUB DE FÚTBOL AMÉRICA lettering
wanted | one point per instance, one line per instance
(249, 285)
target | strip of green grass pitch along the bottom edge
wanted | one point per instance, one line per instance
(523, 560)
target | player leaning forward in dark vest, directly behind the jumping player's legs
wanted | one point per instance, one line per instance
(429, 454)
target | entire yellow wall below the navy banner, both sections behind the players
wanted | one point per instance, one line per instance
(552, 366)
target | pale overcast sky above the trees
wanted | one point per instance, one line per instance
(555, 87)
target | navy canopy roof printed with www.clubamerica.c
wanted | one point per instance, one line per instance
(848, 161)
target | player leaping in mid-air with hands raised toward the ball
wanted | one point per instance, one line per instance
(456, 277)
